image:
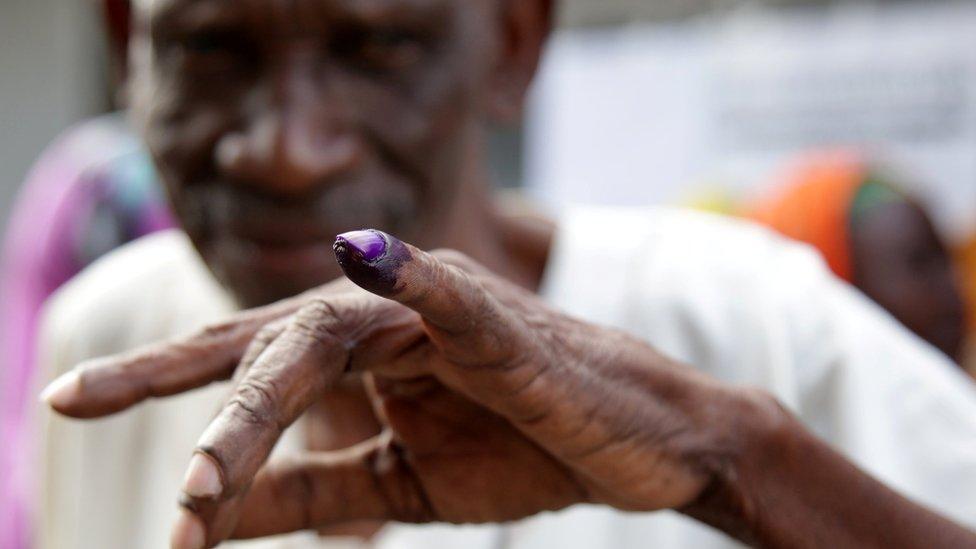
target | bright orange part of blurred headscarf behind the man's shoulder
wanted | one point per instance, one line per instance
(815, 206)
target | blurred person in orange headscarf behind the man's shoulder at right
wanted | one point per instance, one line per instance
(875, 236)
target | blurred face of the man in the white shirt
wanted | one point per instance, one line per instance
(277, 124)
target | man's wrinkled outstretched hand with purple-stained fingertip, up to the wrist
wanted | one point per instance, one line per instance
(493, 406)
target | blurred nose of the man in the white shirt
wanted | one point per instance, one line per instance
(298, 140)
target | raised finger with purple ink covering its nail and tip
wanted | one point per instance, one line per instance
(486, 347)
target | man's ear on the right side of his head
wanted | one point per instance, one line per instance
(525, 26)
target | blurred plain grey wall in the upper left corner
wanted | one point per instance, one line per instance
(52, 74)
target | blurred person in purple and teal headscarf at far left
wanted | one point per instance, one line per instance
(91, 191)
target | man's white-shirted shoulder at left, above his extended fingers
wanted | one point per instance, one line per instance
(152, 288)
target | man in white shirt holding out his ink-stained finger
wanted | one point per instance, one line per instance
(521, 378)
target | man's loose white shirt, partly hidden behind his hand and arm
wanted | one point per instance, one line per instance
(729, 298)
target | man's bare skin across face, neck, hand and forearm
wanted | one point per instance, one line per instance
(492, 406)
